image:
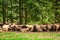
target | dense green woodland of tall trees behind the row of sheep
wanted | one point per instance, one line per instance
(30, 11)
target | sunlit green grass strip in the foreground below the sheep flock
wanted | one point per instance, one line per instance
(30, 36)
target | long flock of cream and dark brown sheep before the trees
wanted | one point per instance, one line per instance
(30, 28)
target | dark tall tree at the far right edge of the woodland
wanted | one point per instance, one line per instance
(57, 14)
